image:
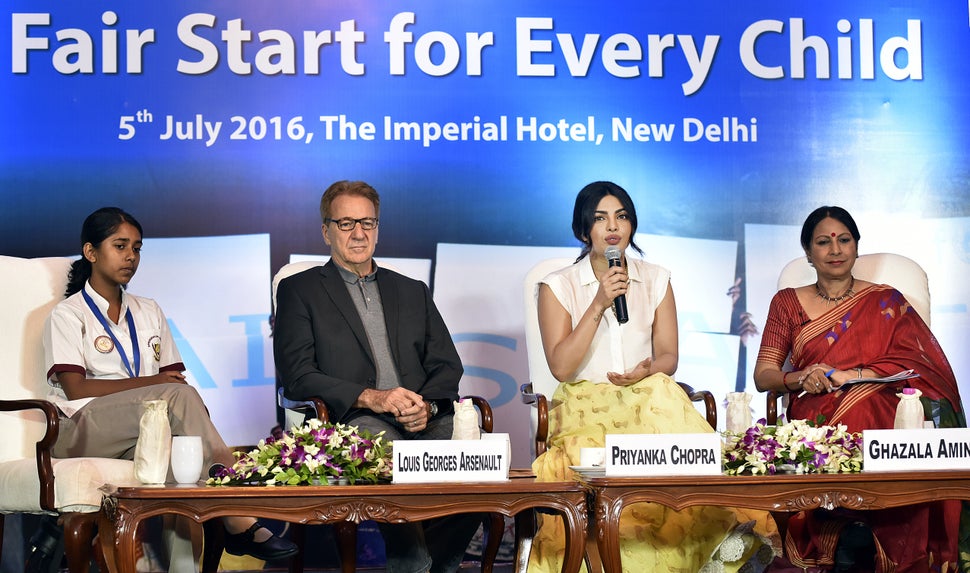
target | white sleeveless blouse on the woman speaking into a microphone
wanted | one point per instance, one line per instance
(615, 347)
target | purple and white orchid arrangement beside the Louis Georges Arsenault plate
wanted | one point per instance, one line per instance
(314, 454)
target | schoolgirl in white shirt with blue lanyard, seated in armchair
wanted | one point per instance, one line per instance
(107, 351)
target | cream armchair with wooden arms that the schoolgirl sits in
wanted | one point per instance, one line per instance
(31, 480)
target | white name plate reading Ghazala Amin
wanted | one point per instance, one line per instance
(929, 449)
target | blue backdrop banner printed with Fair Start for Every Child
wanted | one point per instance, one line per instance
(479, 122)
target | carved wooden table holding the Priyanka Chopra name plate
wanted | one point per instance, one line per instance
(777, 493)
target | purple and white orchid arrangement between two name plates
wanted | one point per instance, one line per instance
(799, 446)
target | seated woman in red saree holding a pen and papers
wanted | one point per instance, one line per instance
(839, 329)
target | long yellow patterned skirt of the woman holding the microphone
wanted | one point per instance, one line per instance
(652, 537)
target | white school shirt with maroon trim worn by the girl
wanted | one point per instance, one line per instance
(71, 331)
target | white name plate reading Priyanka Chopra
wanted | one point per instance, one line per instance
(663, 454)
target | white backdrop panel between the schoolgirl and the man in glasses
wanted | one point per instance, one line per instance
(215, 292)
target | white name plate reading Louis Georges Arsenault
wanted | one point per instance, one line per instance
(427, 461)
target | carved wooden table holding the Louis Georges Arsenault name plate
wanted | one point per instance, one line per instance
(123, 508)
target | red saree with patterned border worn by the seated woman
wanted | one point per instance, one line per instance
(876, 329)
